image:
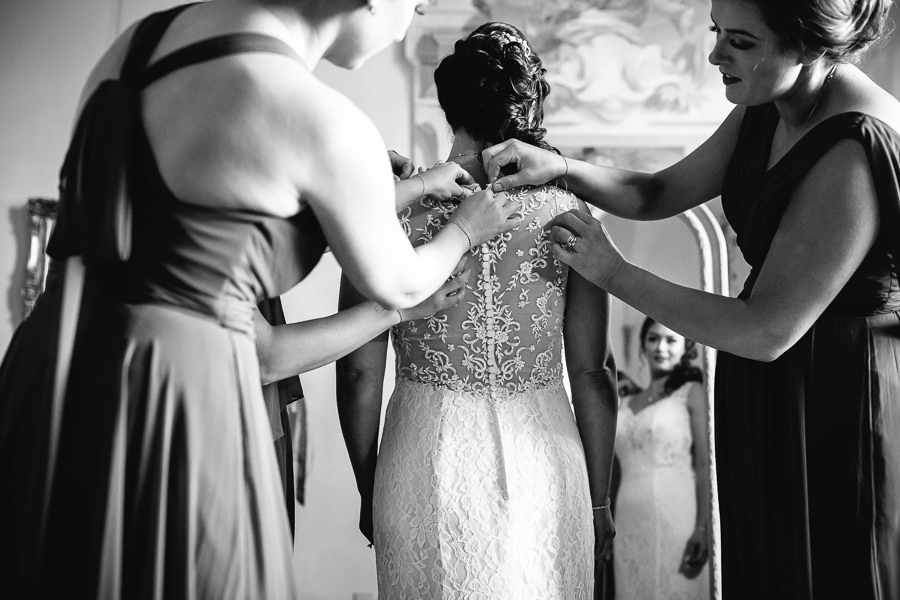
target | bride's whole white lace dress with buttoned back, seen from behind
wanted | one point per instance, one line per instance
(481, 487)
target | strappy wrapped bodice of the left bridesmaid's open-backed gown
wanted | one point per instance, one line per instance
(212, 260)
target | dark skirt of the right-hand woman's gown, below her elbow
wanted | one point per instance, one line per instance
(808, 453)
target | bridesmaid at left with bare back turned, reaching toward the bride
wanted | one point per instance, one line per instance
(140, 464)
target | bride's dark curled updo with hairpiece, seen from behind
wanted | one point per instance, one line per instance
(493, 86)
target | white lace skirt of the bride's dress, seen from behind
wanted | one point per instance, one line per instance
(477, 498)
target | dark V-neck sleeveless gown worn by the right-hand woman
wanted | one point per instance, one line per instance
(808, 445)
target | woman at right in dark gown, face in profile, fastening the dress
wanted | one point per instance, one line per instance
(808, 377)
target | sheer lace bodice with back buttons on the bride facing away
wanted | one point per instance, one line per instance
(505, 337)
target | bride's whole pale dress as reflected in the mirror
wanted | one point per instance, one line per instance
(656, 503)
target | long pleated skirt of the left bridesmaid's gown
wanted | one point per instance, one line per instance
(164, 484)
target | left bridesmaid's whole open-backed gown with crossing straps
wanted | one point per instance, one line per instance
(165, 483)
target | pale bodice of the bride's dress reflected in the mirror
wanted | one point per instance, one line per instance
(657, 436)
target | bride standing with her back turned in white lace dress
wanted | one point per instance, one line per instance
(486, 483)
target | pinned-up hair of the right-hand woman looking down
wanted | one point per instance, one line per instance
(838, 30)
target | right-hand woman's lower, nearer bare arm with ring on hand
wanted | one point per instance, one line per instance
(825, 233)
